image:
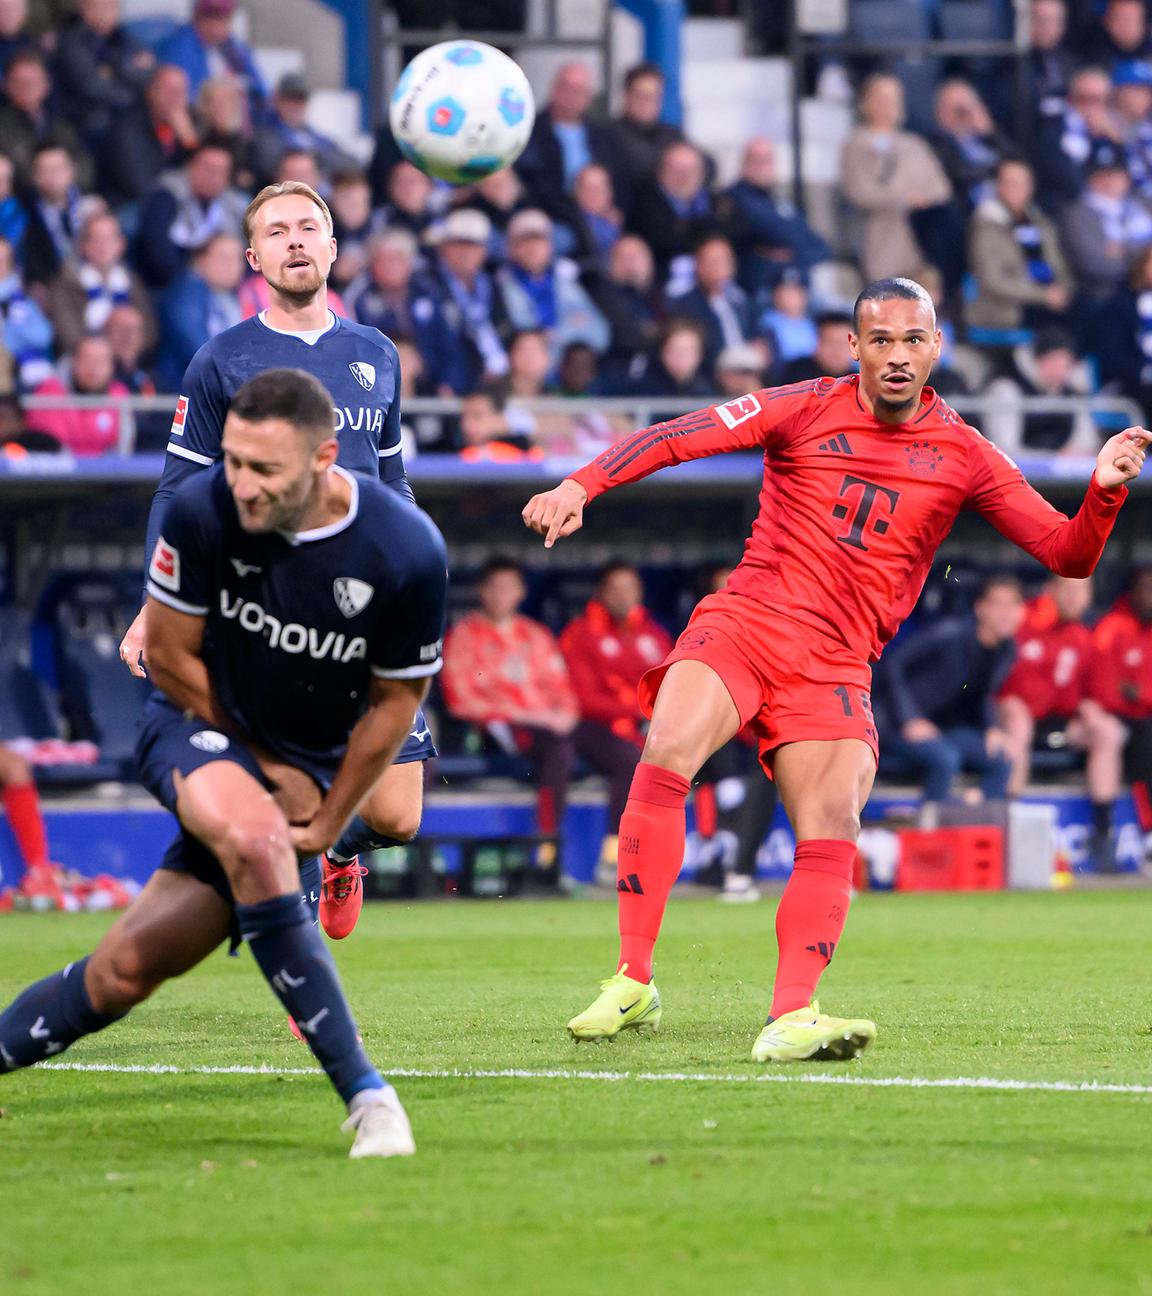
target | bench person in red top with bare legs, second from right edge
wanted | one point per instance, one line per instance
(1046, 704)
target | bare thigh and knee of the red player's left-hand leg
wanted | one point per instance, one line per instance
(693, 717)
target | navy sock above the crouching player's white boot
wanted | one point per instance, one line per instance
(296, 964)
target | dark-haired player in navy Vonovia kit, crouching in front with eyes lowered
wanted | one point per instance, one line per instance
(295, 618)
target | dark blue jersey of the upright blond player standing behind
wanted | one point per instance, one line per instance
(358, 366)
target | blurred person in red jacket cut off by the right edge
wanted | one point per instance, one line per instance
(1123, 684)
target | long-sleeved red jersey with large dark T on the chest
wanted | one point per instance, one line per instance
(853, 510)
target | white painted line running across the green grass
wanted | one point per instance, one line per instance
(983, 1083)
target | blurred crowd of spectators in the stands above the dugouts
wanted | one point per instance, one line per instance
(612, 244)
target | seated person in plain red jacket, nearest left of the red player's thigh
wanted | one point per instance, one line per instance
(608, 649)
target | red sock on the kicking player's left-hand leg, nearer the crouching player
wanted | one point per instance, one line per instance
(651, 853)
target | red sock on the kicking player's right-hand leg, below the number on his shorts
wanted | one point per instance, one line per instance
(811, 920)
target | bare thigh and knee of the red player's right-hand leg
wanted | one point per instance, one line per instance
(825, 786)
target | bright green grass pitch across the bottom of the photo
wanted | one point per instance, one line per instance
(216, 1184)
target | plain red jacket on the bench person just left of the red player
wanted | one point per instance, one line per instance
(607, 659)
